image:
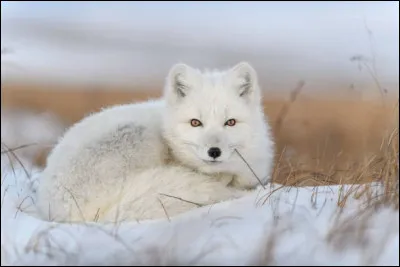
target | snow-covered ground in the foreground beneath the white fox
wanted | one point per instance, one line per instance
(291, 228)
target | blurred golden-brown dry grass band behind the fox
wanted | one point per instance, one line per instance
(319, 141)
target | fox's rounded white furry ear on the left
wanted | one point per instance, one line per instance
(178, 85)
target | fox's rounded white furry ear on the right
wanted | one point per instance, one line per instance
(246, 81)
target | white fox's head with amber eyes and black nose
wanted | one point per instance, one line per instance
(211, 115)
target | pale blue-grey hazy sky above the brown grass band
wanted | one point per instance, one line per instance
(128, 41)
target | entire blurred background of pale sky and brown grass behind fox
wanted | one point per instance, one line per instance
(329, 70)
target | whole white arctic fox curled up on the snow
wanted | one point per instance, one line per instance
(205, 141)
